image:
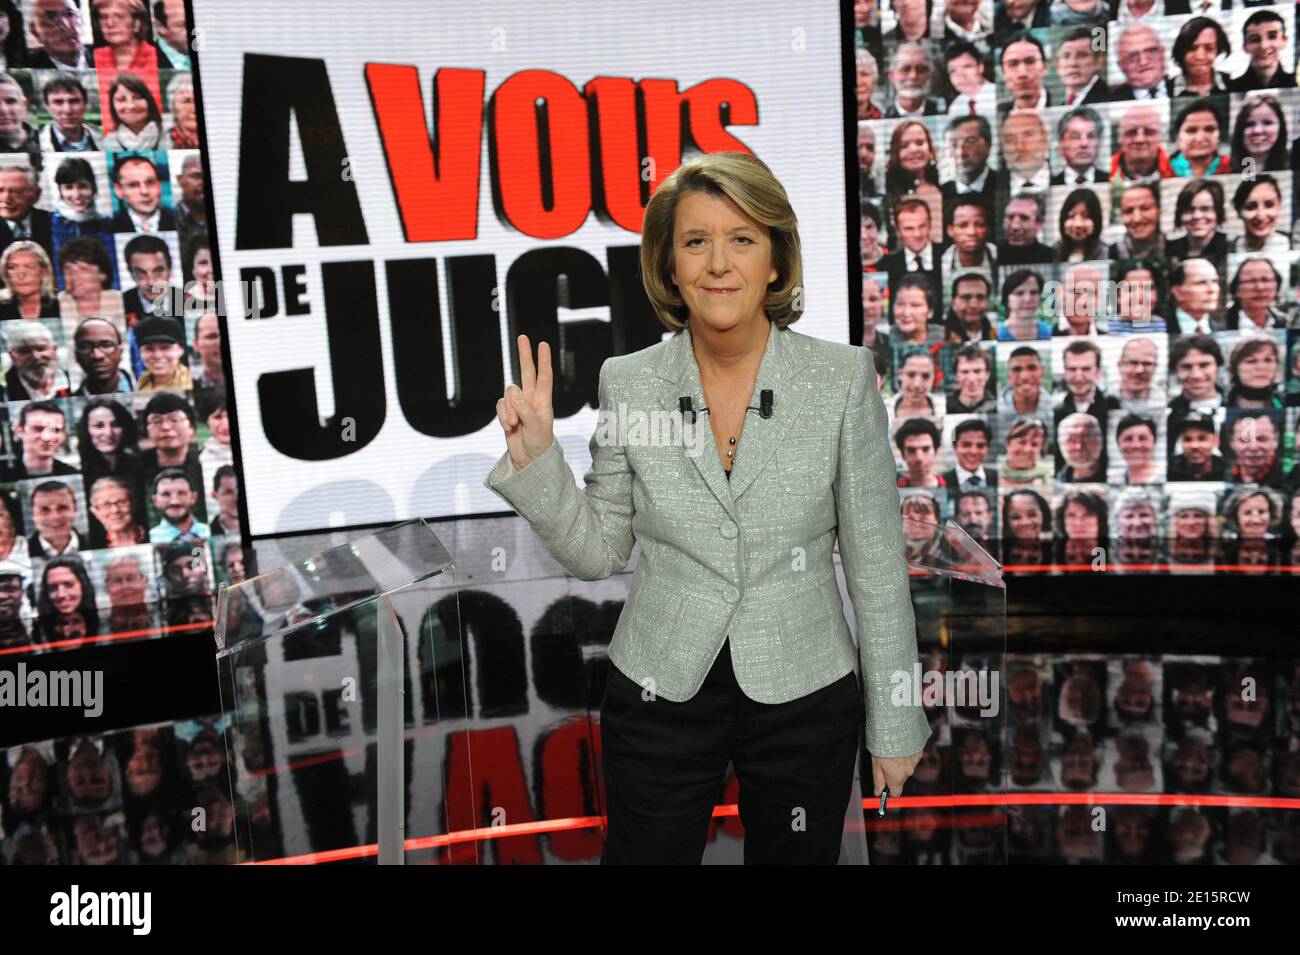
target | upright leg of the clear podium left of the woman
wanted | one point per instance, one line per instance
(392, 767)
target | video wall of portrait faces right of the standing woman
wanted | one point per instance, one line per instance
(1081, 275)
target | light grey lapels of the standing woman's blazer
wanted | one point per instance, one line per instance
(760, 439)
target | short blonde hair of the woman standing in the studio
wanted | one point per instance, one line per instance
(748, 183)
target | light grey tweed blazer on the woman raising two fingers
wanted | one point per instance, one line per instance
(747, 558)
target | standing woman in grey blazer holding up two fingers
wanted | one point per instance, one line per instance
(722, 267)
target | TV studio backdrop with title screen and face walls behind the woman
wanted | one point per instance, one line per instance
(356, 215)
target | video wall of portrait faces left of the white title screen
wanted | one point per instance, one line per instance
(120, 497)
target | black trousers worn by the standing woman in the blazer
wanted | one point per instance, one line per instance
(665, 769)
